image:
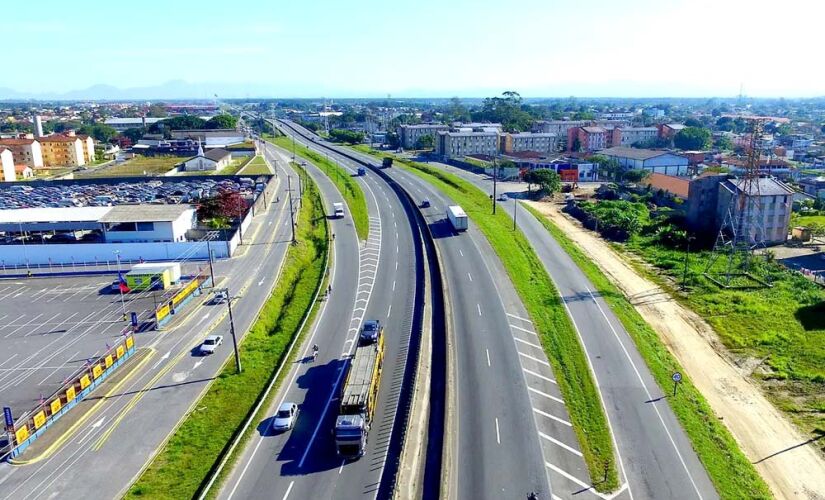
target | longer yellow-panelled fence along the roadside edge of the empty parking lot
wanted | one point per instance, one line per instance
(35, 422)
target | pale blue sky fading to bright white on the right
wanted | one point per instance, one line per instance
(420, 48)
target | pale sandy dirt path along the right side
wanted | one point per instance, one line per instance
(764, 435)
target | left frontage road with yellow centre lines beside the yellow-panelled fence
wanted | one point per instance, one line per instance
(104, 456)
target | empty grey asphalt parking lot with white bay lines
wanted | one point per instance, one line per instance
(50, 327)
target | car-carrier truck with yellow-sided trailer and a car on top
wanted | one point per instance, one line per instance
(359, 396)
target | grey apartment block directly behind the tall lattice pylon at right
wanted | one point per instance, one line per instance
(709, 201)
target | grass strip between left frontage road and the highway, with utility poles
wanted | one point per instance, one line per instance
(187, 459)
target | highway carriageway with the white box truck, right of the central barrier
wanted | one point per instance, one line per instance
(510, 416)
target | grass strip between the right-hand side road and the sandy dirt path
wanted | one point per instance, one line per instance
(731, 472)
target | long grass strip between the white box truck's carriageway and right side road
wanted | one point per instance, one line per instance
(543, 302)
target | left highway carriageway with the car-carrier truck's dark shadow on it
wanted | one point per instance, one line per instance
(377, 279)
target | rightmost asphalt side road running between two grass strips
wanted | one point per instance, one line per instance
(656, 457)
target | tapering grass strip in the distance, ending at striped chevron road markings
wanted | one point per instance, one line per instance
(347, 186)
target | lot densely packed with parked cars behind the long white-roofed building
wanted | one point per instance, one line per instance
(97, 194)
